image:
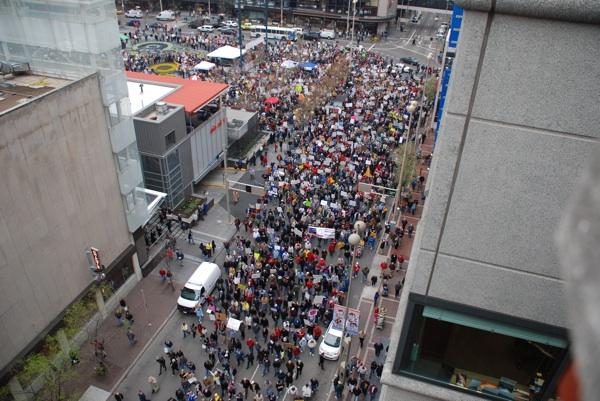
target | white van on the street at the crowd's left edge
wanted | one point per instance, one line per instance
(198, 287)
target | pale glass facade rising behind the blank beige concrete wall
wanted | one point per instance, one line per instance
(72, 39)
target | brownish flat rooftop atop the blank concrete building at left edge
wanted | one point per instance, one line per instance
(18, 90)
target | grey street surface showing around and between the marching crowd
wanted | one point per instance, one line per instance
(398, 44)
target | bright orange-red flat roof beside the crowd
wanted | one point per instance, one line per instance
(192, 95)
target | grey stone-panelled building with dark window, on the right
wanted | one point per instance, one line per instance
(482, 314)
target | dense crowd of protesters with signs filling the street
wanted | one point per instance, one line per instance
(279, 279)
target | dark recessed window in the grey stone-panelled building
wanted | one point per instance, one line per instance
(470, 350)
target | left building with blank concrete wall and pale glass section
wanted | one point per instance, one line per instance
(72, 177)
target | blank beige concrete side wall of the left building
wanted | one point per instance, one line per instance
(60, 196)
